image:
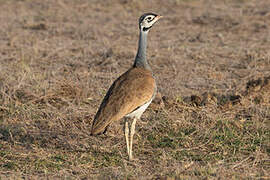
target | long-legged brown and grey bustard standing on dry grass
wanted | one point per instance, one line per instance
(131, 93)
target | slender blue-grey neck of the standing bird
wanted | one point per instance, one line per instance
(140, 60)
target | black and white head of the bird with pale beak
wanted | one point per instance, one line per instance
(147, 20)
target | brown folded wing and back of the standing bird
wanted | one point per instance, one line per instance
(131, 90)
